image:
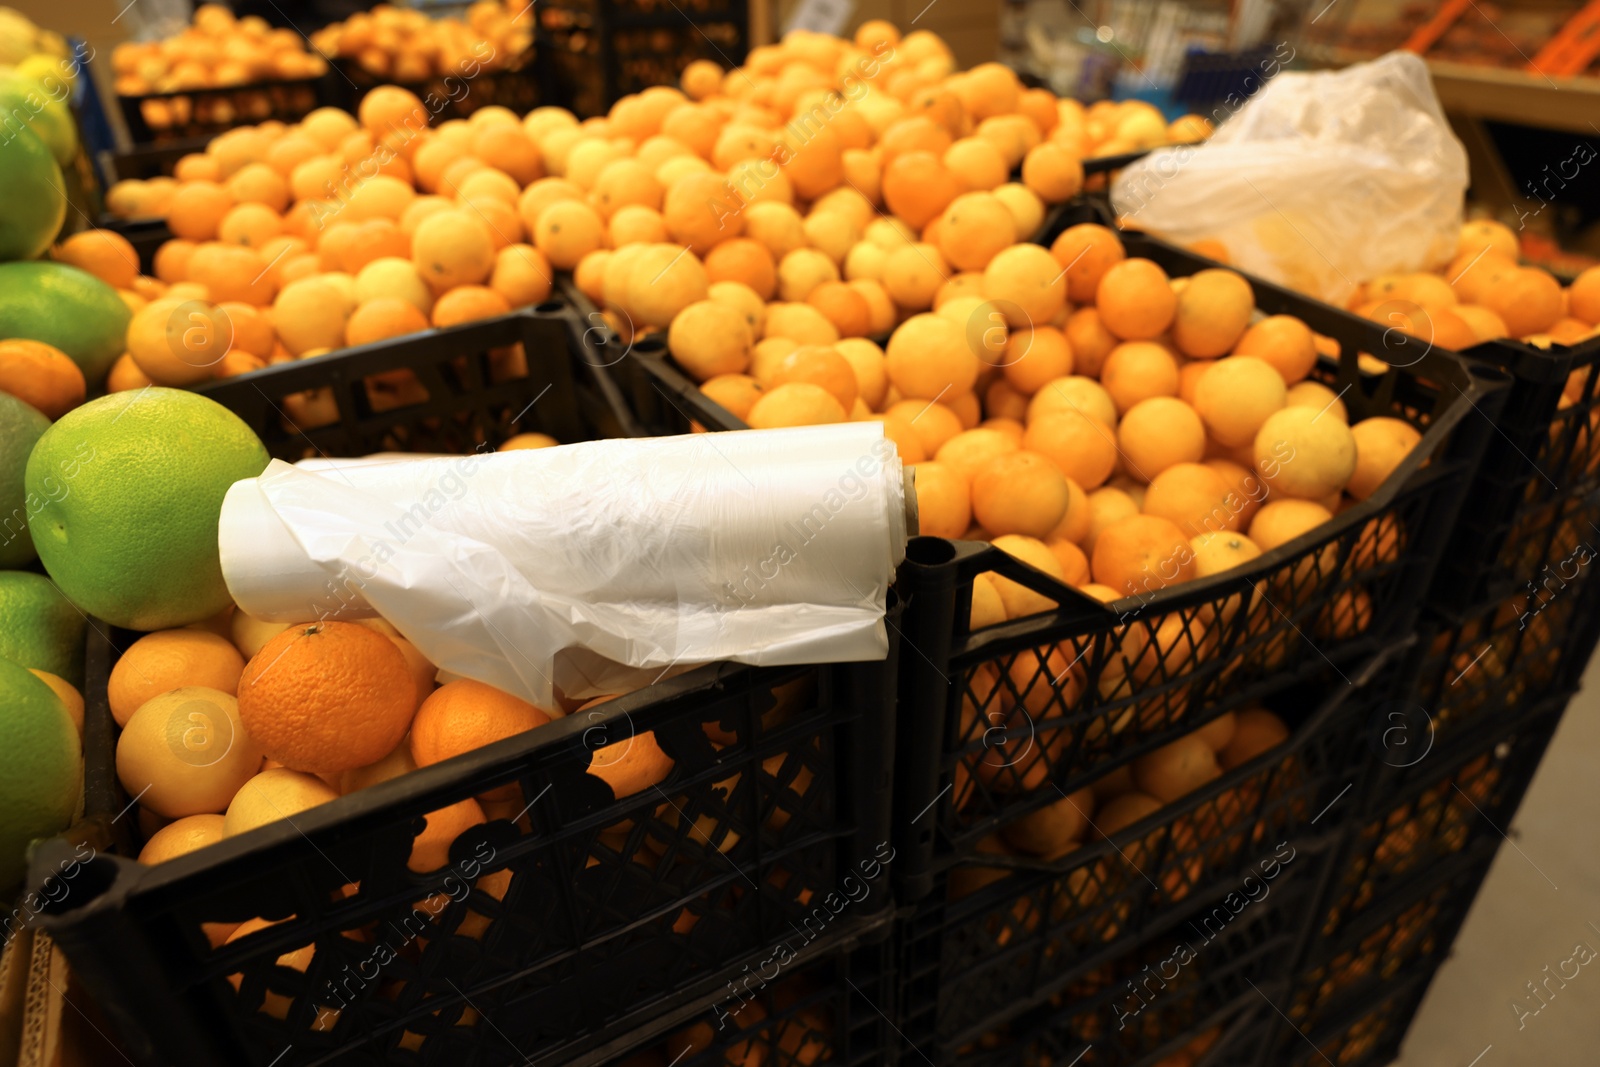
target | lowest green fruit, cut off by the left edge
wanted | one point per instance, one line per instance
(41, 767)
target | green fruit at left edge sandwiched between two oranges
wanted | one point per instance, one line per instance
(62, 306)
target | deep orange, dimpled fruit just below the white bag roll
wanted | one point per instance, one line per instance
(327, 697)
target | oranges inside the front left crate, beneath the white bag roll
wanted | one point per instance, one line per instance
(234, 724)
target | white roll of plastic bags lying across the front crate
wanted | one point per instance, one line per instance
(590, 569)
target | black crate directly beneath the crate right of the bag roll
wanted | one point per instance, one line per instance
(977, 957)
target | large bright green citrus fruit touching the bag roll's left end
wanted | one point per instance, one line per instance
(135, 538)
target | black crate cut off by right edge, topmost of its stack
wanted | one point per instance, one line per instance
(1538, 495)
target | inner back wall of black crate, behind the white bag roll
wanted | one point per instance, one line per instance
(438, 391)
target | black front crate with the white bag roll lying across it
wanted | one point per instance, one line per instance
(554, 932)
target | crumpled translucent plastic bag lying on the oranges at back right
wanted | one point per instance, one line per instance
(1319, 183)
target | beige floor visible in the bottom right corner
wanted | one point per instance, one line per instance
(1535, 909)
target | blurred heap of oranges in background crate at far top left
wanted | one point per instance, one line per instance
(217, 52)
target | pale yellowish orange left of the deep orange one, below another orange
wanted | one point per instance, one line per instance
(185, 753)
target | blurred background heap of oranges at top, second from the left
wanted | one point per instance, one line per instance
(407, 46)
